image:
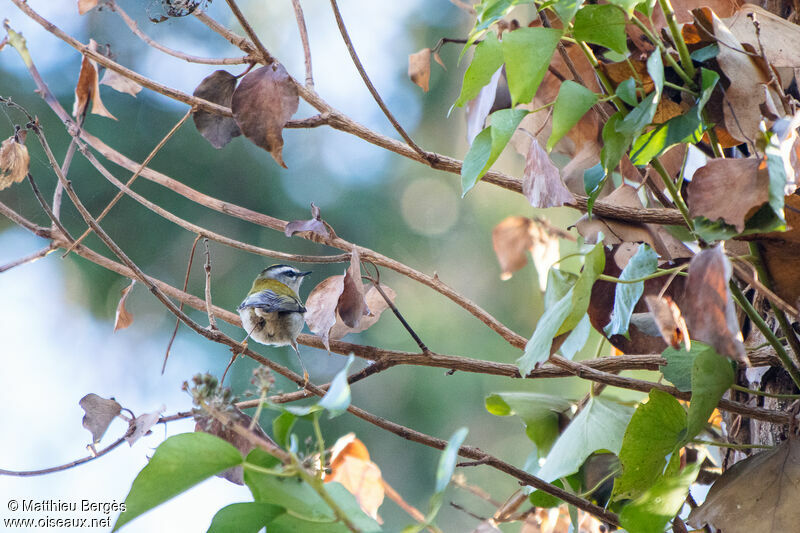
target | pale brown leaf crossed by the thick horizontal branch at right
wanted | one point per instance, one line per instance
(616, 232)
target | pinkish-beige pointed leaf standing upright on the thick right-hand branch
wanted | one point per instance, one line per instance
(541, 182)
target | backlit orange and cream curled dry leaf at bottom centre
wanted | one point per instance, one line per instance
(351, 466)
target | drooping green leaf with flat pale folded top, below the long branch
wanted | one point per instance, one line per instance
(539, 413)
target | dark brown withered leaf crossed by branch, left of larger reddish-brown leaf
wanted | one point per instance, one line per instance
(217, 88)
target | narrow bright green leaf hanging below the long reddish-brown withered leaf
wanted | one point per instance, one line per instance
(712, 375)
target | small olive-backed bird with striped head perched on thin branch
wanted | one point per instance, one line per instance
(272, 312)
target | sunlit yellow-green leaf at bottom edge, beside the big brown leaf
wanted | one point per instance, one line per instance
(651, 512)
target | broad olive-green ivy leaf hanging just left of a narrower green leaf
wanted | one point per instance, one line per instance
(655, 431)
